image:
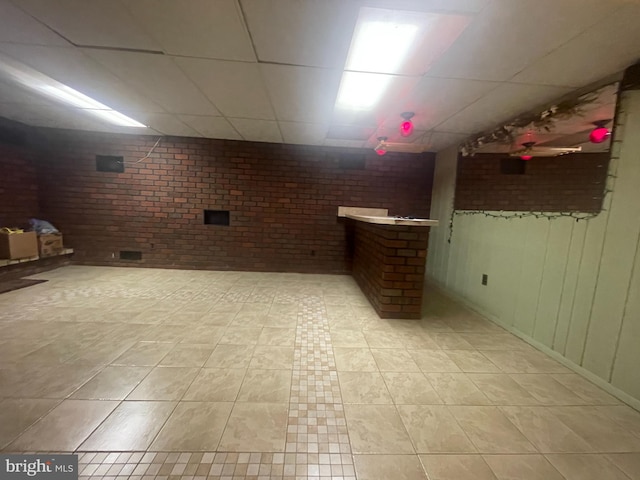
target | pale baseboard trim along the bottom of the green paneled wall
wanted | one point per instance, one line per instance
(593, 378)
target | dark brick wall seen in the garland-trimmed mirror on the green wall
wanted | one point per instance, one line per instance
(566, 183)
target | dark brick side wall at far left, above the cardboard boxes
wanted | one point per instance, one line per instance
(18, 186)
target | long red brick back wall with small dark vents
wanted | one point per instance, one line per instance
(283, 200)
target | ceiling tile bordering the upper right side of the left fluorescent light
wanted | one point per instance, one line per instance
(76, 70)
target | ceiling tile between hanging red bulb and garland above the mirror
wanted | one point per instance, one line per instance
(501, 105)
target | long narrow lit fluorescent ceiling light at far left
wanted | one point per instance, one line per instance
(60, 92)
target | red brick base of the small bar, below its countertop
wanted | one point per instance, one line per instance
(389, 266)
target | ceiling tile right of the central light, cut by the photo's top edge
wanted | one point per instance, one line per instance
(508, 36)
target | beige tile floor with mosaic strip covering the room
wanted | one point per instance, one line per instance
(169, 374)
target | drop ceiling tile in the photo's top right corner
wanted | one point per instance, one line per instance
(608, 47)
